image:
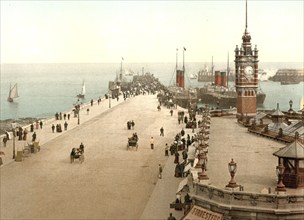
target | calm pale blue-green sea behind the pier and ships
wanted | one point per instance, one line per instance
(45, 89)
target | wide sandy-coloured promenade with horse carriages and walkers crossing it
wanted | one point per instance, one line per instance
(112, 183)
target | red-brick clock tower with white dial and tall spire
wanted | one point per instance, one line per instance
(246, 76)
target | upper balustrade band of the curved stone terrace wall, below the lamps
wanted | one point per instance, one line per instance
(240, 200)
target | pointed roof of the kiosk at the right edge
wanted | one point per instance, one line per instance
(294, 150)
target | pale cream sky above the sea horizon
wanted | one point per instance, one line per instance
(48, 31)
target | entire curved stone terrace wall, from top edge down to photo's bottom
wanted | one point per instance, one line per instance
(245, 205)
